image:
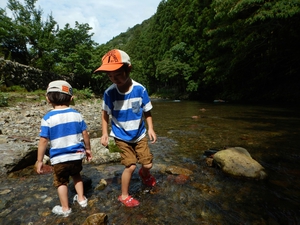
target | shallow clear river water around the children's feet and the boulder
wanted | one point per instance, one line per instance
(185, 130)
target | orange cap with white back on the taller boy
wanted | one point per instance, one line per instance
(114, 60)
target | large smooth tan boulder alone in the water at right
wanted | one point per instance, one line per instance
(238, 162)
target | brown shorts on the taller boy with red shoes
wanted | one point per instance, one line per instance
(133, 153)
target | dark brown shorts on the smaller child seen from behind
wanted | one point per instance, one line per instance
(62, 172)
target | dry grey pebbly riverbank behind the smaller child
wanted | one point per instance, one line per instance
(19, 133)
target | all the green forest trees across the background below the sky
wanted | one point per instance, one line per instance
(244, 50)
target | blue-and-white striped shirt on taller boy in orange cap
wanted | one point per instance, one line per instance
(126, 110)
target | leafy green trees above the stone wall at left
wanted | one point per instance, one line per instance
(27, 39)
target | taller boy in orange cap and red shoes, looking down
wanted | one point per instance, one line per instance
(127, 102)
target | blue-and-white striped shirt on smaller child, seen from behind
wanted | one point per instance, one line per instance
(64, 127)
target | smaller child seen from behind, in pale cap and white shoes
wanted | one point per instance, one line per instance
(66, 130)
